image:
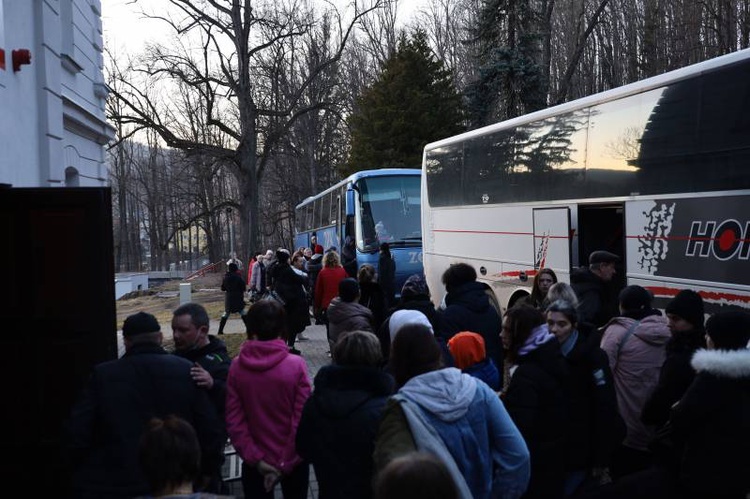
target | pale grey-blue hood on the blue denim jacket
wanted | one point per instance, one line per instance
(445, 393)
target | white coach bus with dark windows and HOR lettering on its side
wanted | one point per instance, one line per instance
(657, 171)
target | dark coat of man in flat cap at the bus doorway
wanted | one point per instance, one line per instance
(597, 302)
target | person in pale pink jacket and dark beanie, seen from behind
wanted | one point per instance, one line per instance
(635, 344)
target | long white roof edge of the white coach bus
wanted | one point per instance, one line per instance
(607, 95)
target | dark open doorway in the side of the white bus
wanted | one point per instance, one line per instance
(602, 227)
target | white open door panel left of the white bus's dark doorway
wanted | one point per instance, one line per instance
(552, 238)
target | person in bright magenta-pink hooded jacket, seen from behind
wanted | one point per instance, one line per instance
(266, 390)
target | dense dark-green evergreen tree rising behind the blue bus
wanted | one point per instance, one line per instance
(412, 103)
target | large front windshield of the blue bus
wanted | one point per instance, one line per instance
(388, 211)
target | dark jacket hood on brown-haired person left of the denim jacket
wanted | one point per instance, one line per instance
(341, 390)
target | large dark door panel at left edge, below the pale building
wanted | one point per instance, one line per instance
(58, 311)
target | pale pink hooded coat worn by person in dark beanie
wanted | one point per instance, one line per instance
(635, 361)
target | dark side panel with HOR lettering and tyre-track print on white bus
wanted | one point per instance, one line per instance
(702, 243)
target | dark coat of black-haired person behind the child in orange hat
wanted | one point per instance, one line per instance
(468, 308)
